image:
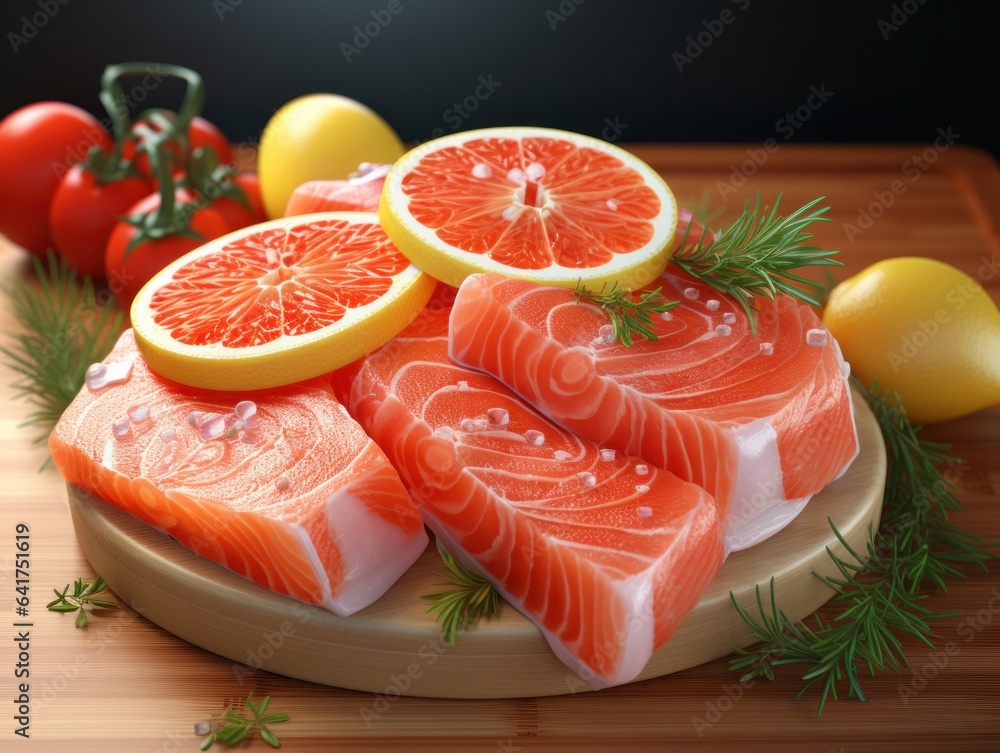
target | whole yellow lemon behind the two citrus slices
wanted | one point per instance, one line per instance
(319, 137)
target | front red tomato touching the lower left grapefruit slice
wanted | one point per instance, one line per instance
(127, 271)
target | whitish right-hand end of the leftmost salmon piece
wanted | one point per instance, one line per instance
(374, 552)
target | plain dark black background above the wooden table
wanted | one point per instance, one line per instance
(562, 63)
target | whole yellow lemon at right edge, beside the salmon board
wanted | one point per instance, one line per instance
(922, 328)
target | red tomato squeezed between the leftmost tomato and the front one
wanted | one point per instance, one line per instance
(83, 213)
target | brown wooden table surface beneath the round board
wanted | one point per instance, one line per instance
(123, 684)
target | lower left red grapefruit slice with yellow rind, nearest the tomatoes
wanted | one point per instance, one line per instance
(278, 302)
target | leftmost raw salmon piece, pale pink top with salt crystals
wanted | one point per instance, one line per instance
(282, 487)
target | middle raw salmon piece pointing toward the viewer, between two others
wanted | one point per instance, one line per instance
(605, 553)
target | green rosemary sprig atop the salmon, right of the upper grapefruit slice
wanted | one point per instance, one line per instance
(755, 256)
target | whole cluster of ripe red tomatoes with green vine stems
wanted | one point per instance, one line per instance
(119, 207)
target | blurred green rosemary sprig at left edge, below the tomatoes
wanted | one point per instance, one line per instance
(64, 330)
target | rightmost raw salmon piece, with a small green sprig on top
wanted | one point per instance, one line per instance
(762, 423)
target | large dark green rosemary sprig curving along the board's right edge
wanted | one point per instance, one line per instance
(880, 596)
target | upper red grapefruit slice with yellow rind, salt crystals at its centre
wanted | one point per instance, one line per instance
(551, 206)
